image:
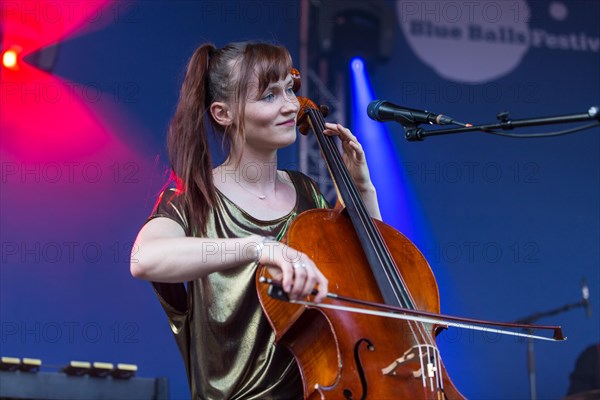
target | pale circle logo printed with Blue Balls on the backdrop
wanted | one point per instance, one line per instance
(470, 42)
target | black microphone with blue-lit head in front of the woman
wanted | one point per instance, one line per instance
(382, 111)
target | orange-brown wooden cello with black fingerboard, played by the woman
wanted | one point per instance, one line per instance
(344, 355)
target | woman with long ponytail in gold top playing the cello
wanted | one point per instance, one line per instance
(217, 225)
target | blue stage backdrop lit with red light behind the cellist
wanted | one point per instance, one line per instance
(509, 226)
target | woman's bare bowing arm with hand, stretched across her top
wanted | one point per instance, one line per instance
(162, 253)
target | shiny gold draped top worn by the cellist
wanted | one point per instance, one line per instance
(225, 340)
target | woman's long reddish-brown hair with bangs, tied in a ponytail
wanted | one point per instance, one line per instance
(221, 75)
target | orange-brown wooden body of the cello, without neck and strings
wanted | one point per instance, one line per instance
(342, 355)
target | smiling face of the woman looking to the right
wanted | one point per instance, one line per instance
(270, 116)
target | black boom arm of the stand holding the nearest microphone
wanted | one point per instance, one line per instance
(414, 133)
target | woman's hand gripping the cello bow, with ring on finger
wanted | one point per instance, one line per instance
(298, 274)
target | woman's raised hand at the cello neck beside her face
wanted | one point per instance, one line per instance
(354, 156)
